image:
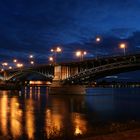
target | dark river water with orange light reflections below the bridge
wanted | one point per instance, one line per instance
(35, 115)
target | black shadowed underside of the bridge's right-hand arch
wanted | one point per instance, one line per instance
(88, 77)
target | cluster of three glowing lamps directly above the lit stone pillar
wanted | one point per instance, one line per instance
(55, 51)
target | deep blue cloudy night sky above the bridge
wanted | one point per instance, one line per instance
(35, 26)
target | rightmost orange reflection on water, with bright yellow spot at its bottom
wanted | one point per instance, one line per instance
(80, 125)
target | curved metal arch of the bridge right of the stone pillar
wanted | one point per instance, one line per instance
(95, 73)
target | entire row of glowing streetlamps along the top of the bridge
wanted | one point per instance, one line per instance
(55, 51)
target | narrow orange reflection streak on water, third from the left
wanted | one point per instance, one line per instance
(29, 119)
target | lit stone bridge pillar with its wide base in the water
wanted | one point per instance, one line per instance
(60, 73)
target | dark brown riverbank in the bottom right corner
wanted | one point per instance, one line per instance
(115, 131)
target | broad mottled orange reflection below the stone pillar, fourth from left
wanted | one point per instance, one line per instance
(54, 118)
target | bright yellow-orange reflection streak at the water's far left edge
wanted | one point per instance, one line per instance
(3, 113)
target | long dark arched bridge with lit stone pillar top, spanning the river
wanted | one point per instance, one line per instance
(78, 72)
